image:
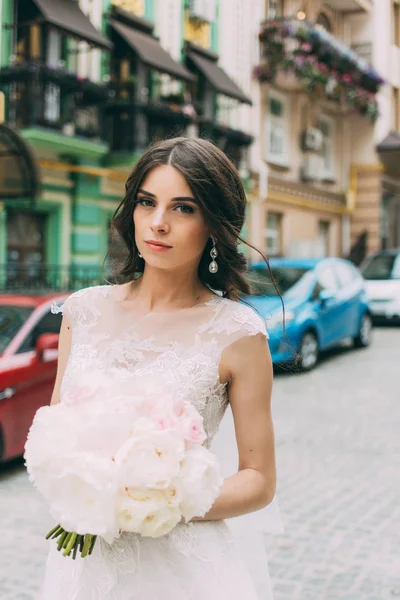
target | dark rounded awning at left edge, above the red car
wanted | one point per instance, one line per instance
(19, 176)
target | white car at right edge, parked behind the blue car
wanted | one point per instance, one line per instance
(382, 274)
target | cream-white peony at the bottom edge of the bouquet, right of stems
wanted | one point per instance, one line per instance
(146, 512)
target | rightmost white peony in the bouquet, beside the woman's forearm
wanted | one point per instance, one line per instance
(199, 482)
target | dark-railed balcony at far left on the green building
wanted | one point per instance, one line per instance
(53, 98)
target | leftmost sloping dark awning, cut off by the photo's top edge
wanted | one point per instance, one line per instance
(67, 16)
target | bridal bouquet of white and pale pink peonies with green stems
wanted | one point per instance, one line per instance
(109, 461)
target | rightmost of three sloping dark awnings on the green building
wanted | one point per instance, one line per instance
(218, 79)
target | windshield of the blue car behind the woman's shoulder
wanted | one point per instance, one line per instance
(285, 277)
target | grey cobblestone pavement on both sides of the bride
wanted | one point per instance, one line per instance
(338, 457)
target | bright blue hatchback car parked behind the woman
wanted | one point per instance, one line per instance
(325, 303)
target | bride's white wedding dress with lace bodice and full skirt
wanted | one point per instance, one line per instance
(214, 560)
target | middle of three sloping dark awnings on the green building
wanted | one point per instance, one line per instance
(150, 51)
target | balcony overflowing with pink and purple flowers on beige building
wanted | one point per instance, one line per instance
(297, 55)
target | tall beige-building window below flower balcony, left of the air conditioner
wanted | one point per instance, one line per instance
(276, 130)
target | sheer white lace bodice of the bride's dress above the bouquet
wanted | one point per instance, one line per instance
(180, 349)
